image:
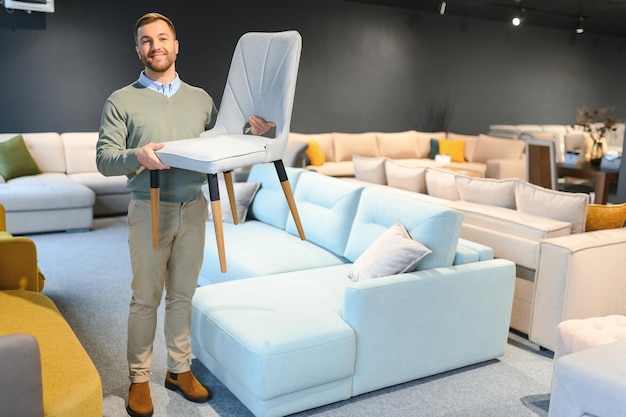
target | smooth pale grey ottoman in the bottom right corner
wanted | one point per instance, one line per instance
(591, 381)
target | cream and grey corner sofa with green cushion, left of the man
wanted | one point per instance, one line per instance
(68, 192)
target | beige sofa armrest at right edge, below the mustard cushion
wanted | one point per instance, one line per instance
(578, 276)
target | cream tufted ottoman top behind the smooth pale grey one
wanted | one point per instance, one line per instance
(578, 334)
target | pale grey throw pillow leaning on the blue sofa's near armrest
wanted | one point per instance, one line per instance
(394, 252)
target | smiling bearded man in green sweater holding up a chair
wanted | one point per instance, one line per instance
(136, 119)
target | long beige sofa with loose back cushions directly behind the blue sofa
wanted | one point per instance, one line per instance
(562, 272)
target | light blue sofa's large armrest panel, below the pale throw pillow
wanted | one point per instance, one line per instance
(411, 325)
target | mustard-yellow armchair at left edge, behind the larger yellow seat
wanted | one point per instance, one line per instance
(18, 261)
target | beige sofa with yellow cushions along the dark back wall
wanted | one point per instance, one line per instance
(483, 155)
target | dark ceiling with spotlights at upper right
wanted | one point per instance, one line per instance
(605, 17)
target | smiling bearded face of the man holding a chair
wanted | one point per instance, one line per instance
(156, 46)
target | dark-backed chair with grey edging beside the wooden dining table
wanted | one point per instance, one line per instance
(541, 168)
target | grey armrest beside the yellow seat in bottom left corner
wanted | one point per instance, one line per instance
(20, 366)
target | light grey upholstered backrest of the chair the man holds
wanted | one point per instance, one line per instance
(261, 81)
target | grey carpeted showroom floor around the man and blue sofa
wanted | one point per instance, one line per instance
(88, 277)
